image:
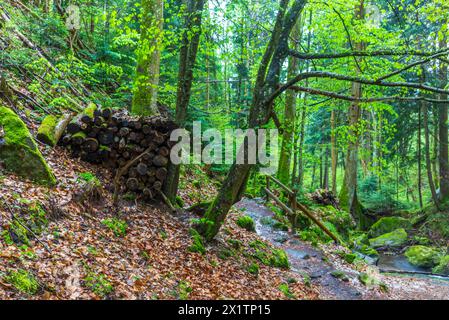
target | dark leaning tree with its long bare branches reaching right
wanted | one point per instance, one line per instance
(268, 87)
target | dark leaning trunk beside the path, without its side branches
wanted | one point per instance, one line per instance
(267, 82)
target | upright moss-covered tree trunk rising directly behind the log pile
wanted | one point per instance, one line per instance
(148, 58)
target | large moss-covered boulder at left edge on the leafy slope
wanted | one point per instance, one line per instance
(18, 151)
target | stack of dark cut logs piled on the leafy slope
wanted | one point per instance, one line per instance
(137, 150)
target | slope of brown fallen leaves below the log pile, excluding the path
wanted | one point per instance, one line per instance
(85, 260)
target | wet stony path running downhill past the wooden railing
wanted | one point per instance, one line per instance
(305, 258)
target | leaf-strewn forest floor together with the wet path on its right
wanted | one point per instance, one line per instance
(78, 257)
